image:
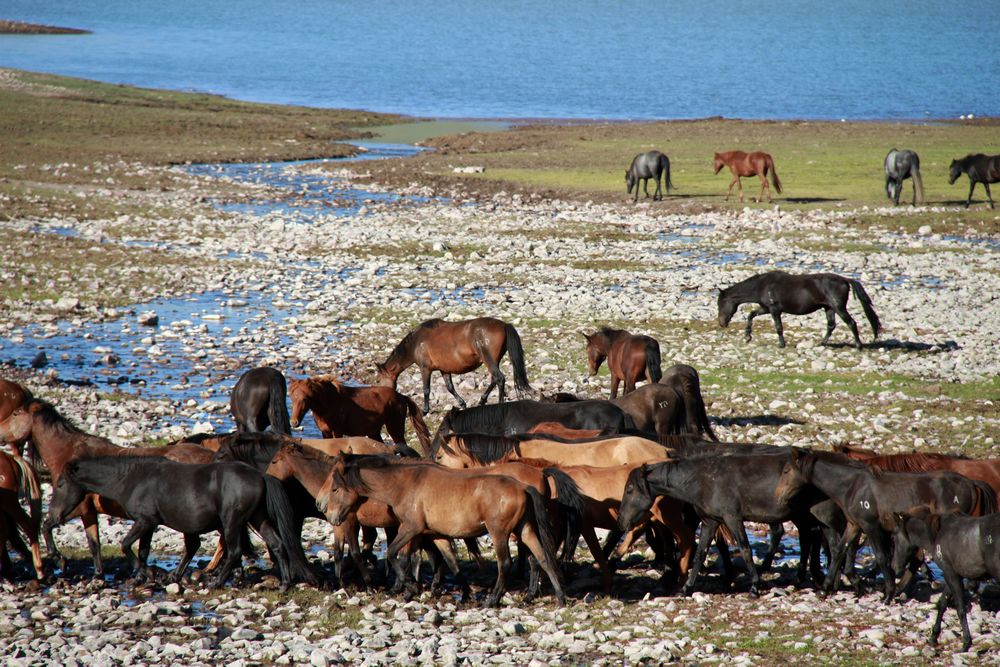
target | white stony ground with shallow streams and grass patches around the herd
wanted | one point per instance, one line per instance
(313, 292)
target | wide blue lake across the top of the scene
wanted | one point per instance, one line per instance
(554, 59)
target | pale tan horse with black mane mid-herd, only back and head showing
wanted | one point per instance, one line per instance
(471, 450)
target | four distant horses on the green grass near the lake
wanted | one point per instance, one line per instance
(899, 165)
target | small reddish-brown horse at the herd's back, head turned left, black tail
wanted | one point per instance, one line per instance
(630, 357)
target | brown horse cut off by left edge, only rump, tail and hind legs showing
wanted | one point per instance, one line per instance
(16, 475)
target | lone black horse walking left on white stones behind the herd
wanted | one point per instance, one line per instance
(777, 292)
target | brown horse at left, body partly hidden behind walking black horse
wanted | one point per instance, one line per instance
(57, 442)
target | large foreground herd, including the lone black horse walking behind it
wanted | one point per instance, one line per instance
(541, 473)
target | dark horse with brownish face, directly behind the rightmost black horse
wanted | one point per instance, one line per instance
(869, 497)
